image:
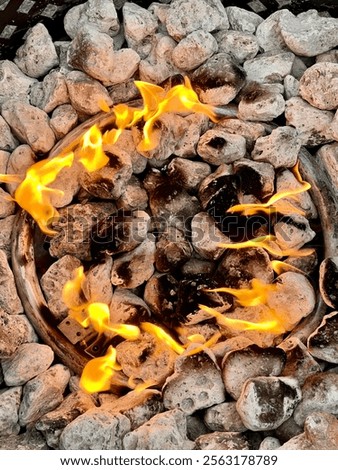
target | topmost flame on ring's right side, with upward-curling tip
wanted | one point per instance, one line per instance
(251, 209)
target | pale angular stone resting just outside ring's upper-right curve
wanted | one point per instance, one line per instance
(280, 148)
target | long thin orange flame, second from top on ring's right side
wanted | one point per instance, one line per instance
(268, 242)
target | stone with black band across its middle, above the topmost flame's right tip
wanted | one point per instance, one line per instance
(218, 80)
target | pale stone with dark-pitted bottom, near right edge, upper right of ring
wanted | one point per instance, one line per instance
(312, 124)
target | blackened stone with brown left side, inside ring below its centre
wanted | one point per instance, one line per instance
(160, 294)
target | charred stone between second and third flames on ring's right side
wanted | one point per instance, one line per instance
(239, 267)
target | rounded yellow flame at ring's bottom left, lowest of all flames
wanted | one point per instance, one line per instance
(97, 373)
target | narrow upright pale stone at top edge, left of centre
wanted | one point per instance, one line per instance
(139, 27)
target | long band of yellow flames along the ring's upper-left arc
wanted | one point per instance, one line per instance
(34, 194)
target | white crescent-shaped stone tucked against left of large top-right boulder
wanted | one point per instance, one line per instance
(269, 34)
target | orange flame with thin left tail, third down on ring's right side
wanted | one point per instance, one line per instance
(256, 295)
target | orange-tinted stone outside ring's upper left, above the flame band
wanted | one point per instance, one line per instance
(85, 93)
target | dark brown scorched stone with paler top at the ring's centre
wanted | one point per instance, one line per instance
(172, 250)
